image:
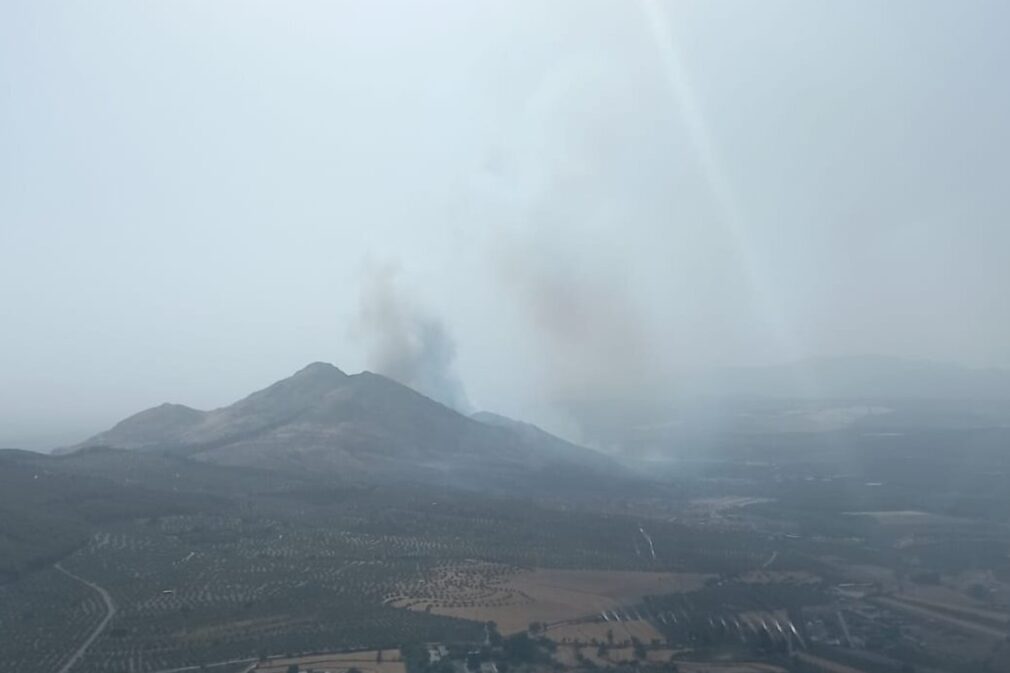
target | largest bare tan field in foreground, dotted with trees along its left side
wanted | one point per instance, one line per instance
(514, 599)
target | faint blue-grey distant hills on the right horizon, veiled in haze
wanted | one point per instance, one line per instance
(852, 395)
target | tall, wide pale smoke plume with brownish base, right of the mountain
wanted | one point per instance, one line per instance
(576, 237)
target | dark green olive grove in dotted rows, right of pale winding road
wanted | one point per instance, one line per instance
(188, 594)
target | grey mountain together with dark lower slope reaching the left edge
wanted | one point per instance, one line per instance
(315, 439)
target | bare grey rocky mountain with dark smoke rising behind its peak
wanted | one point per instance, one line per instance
(356, 427)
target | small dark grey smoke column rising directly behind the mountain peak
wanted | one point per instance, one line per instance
(405, 342)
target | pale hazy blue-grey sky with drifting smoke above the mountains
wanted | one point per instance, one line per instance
(542, 199)
